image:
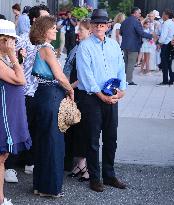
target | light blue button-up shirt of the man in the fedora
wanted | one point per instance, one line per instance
(97, 62)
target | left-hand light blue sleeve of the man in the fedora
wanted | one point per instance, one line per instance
(84, 73)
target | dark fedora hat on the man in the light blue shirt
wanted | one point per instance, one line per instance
(99, 16)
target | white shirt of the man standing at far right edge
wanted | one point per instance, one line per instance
(167, 32)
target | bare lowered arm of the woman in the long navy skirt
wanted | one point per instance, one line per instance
(48, 55)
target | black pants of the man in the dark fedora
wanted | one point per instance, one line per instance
(99, 116)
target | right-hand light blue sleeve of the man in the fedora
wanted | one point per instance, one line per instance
(121, 72)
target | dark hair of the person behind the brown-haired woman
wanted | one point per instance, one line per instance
(34, 12)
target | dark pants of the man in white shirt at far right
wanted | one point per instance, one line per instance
(166, 64)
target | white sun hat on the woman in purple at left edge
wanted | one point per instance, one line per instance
(8, 28)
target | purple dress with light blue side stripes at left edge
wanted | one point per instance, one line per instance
(14, 134)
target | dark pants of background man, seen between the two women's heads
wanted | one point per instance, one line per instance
(70, 41)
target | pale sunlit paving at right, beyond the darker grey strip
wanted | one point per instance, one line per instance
(148, 100)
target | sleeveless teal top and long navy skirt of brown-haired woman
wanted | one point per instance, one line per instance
(48, 140)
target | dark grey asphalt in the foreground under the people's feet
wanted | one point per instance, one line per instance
(147, 185)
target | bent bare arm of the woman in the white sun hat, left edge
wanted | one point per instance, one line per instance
(16, 75)
